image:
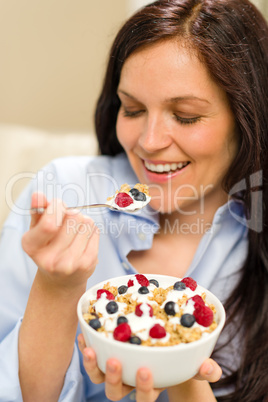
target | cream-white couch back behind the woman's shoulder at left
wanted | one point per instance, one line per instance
(27, 149)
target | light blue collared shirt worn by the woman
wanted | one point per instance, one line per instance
(86, 180)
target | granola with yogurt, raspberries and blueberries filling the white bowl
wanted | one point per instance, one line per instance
(159, 317)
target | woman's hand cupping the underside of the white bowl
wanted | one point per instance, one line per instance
(116, 390)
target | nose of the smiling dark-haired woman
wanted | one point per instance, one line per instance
(156, 133)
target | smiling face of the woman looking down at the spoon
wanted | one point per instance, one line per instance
(176, 127)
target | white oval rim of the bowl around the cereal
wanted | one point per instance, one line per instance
(152, 349)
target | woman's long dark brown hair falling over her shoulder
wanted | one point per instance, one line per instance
(231, 37)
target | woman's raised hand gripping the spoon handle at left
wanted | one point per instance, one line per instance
(63, 243)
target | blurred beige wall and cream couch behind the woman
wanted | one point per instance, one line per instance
(53, 55)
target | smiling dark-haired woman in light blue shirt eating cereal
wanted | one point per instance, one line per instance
(183, 109)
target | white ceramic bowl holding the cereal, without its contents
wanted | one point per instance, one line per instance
(170, 365)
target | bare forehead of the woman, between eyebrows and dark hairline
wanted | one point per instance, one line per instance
(170, 67)
